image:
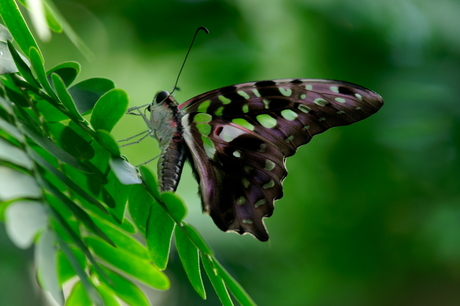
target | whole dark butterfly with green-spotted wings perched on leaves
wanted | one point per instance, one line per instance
(238, 137)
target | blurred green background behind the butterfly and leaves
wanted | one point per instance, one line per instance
(371, 212)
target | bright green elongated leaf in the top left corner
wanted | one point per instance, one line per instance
(15, 23)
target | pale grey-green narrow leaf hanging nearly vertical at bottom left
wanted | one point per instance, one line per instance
(45, 260)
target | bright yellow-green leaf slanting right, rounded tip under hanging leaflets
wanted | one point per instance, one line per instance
(141, 269)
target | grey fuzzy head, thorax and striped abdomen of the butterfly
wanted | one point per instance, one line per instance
(166, 128)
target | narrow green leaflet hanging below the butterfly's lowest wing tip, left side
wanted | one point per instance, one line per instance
(188, 254)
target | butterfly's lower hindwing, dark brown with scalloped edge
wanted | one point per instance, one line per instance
(240, 173)
